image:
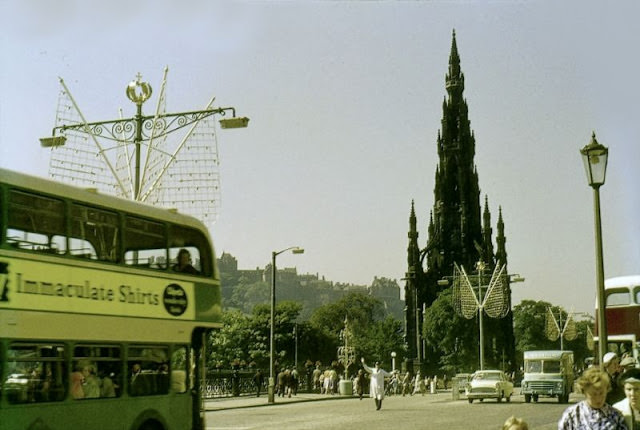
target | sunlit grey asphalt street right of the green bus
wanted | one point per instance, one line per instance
(432, 411)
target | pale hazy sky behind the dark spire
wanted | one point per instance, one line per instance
(345, 101)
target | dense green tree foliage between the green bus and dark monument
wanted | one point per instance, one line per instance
(244, 339)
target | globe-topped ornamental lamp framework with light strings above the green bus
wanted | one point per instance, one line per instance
(165, 159)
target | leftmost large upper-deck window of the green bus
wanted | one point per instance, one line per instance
(36, 223)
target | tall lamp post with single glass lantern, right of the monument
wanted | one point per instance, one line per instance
(594, 157)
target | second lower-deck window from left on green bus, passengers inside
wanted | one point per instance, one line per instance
(97, 371)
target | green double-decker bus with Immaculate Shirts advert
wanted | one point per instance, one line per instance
(100, 326)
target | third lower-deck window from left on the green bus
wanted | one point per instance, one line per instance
(148, 370)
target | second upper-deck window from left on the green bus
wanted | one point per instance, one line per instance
(94, 233)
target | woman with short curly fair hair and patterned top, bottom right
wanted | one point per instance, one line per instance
(593, 412)
